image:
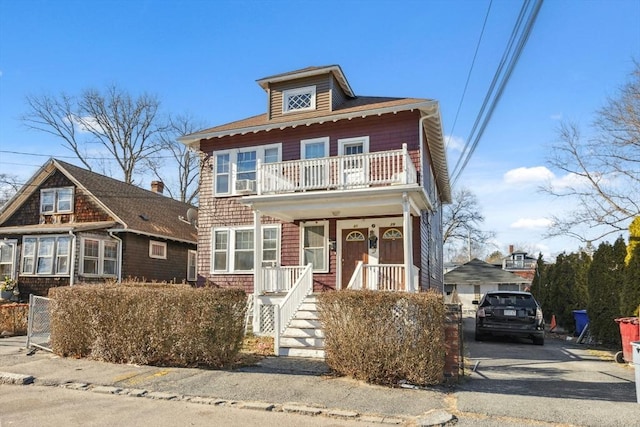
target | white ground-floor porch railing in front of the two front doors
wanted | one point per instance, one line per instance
(379, 277)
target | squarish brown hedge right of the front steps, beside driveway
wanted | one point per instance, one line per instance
(385, 337)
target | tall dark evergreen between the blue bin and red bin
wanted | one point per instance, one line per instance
(605, 280)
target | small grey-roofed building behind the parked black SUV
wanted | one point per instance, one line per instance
(473, 279)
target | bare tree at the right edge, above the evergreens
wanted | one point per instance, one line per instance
(603, 171)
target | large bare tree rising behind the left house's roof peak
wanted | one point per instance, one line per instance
(101, 126)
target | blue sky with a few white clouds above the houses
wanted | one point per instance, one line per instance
(203, 58)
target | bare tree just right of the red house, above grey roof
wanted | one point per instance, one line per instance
(461, 223)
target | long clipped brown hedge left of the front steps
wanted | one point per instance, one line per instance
(167, 325)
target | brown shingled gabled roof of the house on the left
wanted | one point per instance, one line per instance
(134, 209)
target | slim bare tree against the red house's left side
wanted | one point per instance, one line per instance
(187, 160)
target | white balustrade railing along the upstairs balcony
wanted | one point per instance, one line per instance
(341, 172)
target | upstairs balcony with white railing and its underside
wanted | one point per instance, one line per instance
(378, 184)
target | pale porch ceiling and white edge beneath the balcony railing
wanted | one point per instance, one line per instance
(352, 203)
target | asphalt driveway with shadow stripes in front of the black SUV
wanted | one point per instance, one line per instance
(558, 382)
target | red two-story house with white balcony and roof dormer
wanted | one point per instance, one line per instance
(337, 190)
